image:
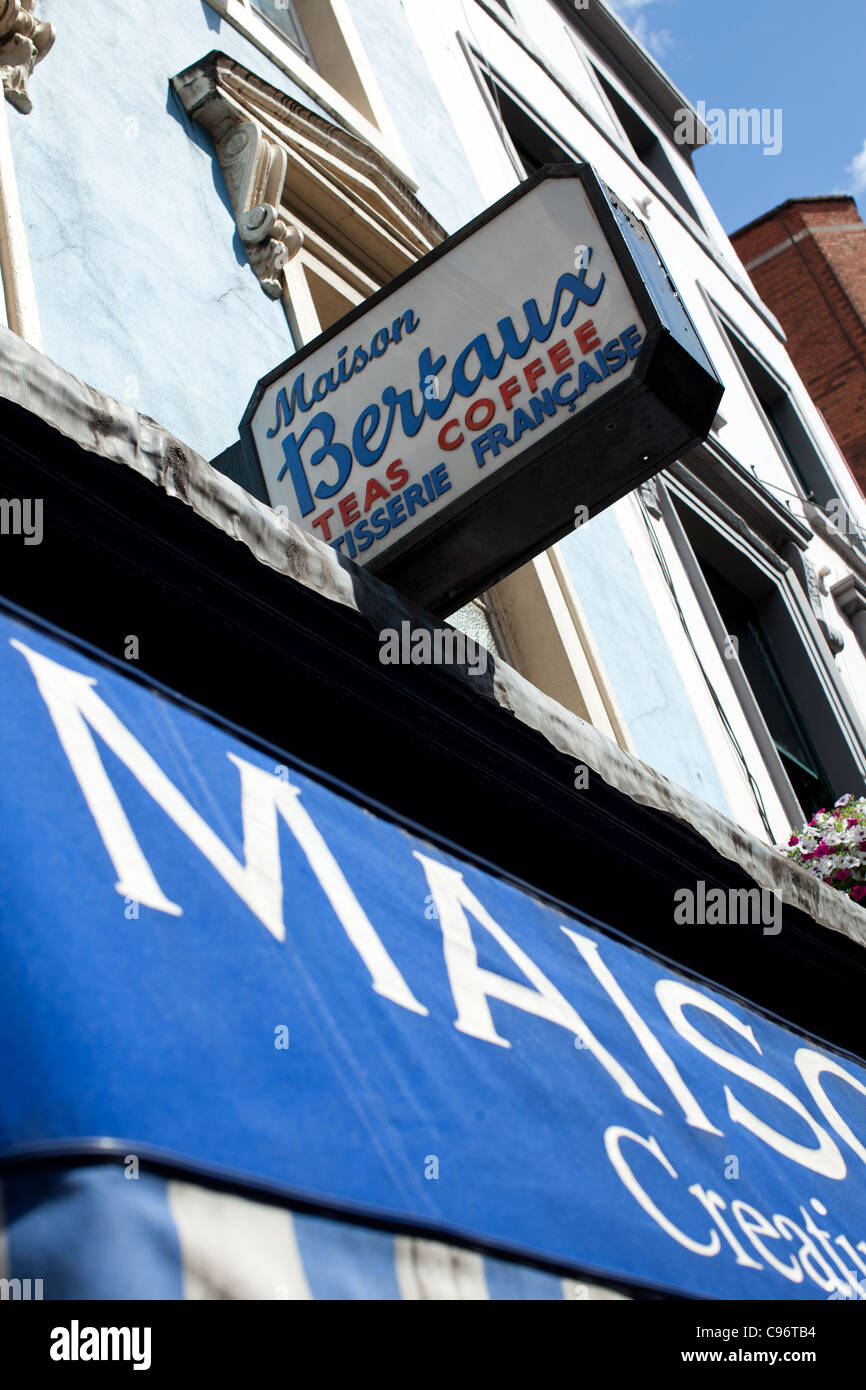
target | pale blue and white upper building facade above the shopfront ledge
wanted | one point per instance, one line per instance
(434, 142)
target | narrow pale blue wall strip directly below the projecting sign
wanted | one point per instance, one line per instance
(642, 665)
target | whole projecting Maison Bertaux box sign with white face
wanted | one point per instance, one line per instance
(440, 436)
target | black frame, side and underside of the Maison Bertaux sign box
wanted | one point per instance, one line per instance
(664, 409)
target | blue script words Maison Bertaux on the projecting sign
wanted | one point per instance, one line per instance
(373, 427)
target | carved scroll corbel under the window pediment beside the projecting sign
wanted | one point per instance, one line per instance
(254, 167)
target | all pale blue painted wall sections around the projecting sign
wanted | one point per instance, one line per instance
(145, 290)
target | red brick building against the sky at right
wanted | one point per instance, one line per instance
(808, 263)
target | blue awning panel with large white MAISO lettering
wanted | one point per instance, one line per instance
(216, 960)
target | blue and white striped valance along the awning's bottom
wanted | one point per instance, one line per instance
(91, 1232)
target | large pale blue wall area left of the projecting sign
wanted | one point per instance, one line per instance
(144, 286)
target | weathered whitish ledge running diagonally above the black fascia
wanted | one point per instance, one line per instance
(119, 434)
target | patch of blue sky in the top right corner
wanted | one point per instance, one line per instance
(806, 58)
